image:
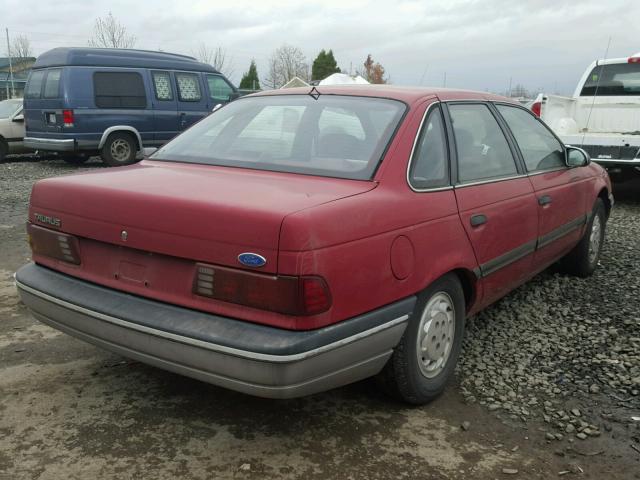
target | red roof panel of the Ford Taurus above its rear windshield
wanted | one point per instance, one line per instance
(405, 94)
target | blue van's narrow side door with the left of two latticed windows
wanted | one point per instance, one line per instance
(165, 106)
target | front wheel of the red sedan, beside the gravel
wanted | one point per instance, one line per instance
(583, 259)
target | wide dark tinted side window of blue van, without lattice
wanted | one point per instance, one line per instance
(119, 90)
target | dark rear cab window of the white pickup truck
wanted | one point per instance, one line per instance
(613, 80)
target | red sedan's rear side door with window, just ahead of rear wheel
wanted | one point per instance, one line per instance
(497, 206)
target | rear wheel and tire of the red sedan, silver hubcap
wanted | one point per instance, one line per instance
(418, 379)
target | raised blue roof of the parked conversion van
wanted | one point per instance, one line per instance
(119, 57)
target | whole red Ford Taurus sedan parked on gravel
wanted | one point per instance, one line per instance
(295, 241)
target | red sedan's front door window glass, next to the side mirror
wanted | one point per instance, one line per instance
(540, 149)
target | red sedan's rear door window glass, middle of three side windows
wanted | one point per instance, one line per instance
(483, 151)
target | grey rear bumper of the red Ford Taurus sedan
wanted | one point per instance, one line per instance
(234, 354)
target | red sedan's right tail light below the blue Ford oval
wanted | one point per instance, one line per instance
(290, 295)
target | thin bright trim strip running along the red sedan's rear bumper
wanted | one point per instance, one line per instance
(211, 346)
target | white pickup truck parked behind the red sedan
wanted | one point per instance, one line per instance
(603, 116)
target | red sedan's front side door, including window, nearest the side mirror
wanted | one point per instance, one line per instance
(561, 191)
